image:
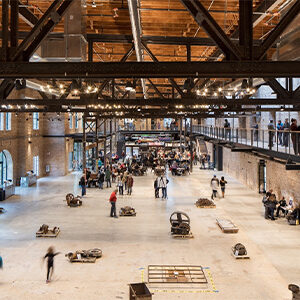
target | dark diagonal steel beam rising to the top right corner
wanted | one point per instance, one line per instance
(279, 29)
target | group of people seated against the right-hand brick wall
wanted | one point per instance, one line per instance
(273, 208)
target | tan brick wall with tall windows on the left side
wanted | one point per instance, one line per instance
(23, 142)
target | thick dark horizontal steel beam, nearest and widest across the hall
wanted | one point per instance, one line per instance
(88, 70)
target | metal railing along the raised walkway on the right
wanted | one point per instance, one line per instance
(285, 141)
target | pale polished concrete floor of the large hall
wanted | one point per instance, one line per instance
(131, 244)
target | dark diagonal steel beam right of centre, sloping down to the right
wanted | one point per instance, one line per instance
(211, 27)
